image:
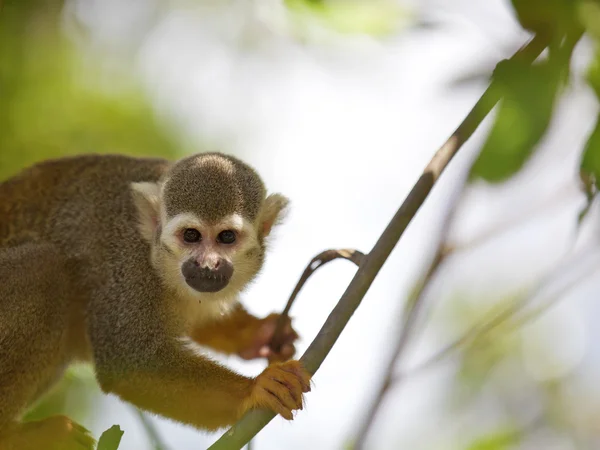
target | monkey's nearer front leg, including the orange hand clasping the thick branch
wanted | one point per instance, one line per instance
(176, 383)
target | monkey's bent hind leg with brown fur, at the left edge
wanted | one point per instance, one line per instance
(36, 296)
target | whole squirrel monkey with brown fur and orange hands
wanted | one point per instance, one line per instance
(127, 263)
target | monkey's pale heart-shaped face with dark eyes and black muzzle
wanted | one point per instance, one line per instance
(210, 257)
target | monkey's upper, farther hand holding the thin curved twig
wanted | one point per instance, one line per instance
(263, 331)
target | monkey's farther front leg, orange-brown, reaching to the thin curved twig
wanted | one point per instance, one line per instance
(247, 336)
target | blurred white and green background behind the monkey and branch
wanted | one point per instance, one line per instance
(340, 105)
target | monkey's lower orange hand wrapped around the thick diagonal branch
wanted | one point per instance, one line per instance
(279, 388)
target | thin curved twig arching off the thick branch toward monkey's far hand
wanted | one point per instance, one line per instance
(318, 261)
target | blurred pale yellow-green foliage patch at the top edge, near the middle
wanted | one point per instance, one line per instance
(375, 17)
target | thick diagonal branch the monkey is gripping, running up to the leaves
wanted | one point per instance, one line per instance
(253, 421)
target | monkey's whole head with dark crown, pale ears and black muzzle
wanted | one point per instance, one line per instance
(206, 221)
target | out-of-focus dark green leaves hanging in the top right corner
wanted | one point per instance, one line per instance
(530, 92)
